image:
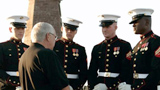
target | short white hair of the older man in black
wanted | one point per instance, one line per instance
(40, 30)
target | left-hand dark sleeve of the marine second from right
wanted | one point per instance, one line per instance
(92, 73)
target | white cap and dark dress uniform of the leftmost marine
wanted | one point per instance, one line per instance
(10, 54)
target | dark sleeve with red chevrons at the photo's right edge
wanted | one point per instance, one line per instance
(154, 76)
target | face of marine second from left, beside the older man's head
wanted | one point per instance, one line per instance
(68, 34)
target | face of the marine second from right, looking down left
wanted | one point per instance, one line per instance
(109, 32)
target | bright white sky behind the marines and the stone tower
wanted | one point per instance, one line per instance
(89, 33)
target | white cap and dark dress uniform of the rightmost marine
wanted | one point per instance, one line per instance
(145, 56)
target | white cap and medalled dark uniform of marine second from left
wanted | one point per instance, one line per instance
(72, 57)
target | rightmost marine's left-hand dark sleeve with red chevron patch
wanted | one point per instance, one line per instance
(126, 63)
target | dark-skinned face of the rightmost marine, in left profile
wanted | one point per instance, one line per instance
(139, 26)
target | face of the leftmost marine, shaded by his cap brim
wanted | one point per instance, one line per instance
(17, 32)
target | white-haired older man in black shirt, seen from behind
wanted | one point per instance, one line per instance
(39, 66)
